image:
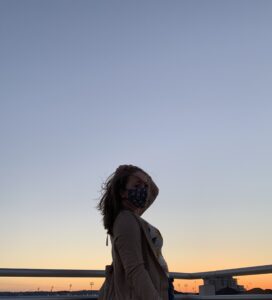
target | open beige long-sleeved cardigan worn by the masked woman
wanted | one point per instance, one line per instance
(137, 274)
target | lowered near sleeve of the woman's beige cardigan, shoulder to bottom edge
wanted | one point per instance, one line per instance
(127, 233)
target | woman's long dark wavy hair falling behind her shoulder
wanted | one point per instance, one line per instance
(110, 203)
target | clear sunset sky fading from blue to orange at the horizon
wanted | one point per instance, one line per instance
(180, 88)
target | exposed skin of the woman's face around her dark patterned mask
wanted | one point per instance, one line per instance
(136, 180)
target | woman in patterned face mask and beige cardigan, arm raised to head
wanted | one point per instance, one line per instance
(138, 270)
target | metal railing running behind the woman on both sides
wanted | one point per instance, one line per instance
(205, 276)
